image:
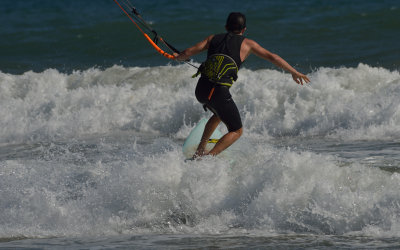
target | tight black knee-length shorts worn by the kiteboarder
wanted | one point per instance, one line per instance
(221, 103)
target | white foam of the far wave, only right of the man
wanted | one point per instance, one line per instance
(355, 103)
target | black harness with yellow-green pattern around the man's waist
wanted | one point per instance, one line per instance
(219, 69)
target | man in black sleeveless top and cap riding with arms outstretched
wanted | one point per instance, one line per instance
(226, 52)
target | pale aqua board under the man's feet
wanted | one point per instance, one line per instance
(193, 140)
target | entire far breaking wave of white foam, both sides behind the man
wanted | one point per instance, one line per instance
(346, 103)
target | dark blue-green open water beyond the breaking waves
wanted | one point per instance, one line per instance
(76, 35)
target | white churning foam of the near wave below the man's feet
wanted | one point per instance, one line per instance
(264, 190)
